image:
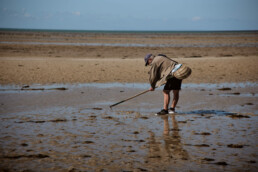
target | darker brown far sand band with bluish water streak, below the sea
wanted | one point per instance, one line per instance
(127, 45)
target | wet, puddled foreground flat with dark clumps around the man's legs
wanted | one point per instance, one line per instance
(74, 129)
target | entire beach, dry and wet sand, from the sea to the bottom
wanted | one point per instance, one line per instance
(56, 89)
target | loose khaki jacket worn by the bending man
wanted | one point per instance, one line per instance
(160, 69)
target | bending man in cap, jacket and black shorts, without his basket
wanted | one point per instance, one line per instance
(161, 67)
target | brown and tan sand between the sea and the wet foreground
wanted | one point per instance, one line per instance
(214, 57)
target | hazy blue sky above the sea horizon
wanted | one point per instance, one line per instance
(162, 15)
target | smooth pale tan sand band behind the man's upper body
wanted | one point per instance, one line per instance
(77, 70)
